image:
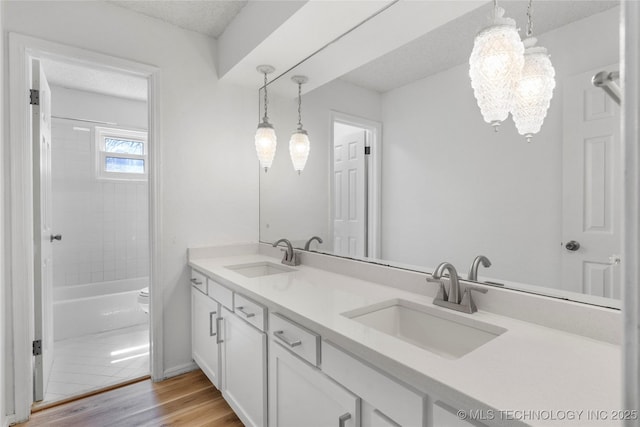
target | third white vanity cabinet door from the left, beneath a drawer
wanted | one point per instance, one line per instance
(301, 395)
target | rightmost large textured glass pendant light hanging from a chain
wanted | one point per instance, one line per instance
(535, 89)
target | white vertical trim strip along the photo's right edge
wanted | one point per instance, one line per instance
(630, 77)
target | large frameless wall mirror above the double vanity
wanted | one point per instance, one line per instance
(438, 184)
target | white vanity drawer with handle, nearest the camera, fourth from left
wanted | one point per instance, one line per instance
(295, 338)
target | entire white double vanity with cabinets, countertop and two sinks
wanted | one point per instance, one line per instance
(308, 346)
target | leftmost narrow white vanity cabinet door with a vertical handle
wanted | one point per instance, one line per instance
(204, 350)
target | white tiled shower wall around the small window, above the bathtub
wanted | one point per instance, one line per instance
(103, 222)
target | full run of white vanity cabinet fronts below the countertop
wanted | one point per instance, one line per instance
(305, 380)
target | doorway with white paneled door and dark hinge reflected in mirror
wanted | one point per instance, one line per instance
(355, 186)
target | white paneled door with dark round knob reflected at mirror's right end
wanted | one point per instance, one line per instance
(592, 193)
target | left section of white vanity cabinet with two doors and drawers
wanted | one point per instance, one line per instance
(230, 348)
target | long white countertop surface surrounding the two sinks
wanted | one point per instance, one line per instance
(528, 368)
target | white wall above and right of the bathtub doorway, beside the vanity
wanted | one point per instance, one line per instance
(209, 173)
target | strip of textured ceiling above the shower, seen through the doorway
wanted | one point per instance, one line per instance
(81, 77)
